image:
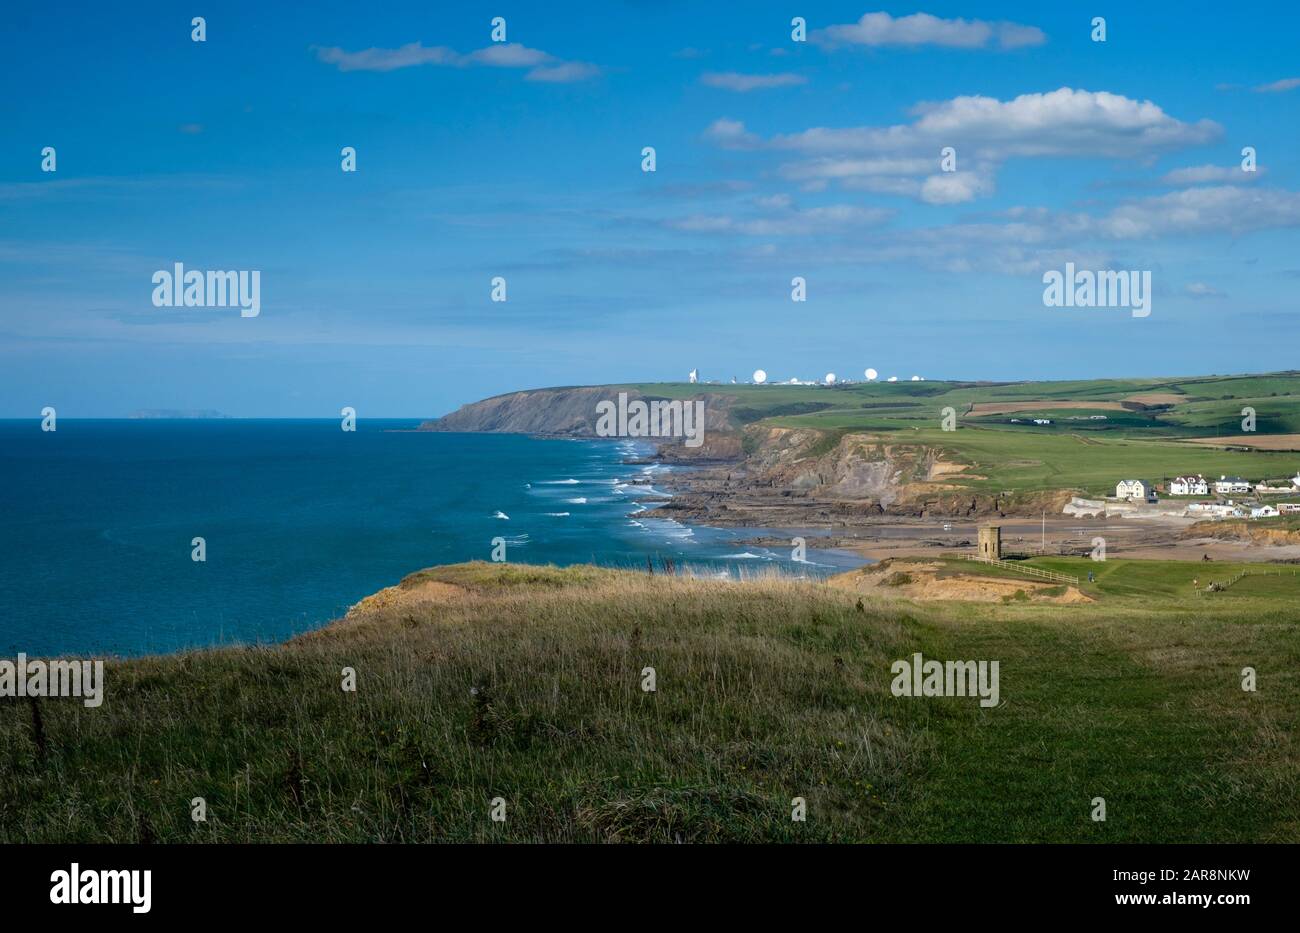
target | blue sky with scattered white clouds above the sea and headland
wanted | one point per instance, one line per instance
(523, 159)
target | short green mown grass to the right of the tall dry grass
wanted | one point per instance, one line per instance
(1136, 698)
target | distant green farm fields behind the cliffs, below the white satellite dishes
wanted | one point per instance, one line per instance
(1076, 452)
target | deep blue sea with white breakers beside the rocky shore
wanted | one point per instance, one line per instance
(301, 520)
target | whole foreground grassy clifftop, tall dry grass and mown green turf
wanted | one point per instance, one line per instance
(482, 682)
